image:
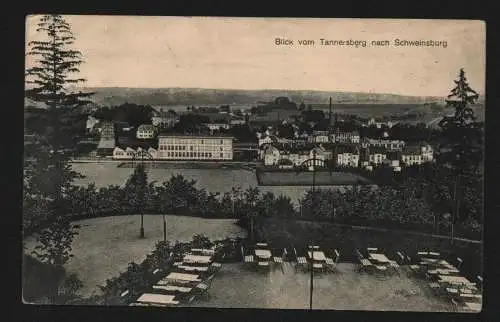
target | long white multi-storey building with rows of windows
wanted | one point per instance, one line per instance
(186, 147)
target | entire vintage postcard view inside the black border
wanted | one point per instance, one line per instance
(260, 163)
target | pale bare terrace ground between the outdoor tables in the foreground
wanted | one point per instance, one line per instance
(238, 287)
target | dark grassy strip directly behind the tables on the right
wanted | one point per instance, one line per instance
(292, 233)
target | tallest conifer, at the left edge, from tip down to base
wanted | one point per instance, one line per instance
(48, 81)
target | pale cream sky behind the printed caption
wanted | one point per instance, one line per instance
(241, 53)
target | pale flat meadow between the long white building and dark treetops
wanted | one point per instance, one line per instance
(107, 173)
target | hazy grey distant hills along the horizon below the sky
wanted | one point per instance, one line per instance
(198, 96)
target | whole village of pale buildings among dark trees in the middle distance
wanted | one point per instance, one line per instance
(281, 133)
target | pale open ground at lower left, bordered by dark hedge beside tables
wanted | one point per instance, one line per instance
(105, 246)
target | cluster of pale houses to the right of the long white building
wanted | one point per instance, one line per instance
(350, 156)
